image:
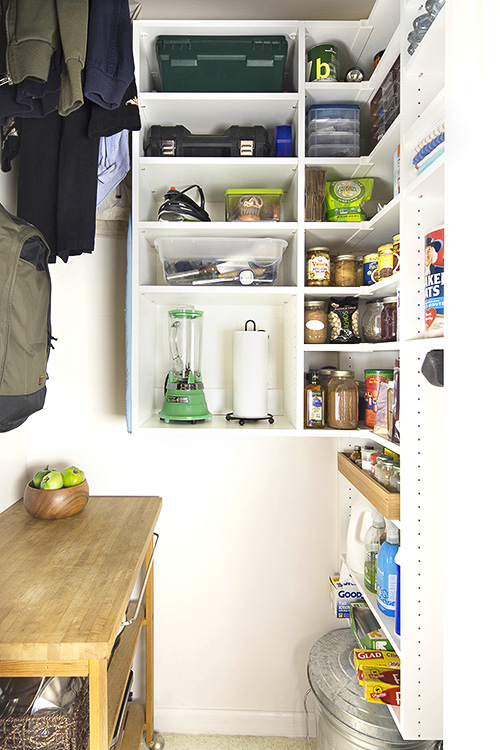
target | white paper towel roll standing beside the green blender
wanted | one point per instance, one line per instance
(250, 363)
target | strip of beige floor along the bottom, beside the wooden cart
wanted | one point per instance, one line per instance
(219, 742)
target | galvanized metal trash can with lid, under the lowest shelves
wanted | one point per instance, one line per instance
(344, 719)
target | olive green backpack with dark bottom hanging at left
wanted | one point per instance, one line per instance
(25, 329)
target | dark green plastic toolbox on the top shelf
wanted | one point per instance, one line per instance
(222, 63)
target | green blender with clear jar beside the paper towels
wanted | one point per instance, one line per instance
(184, 395)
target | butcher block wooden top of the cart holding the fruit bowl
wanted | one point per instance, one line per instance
(65, 584)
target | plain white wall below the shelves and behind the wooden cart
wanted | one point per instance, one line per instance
(247, 531)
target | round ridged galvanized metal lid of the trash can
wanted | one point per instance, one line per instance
(334, 682)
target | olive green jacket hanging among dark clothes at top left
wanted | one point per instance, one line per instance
(34, 29)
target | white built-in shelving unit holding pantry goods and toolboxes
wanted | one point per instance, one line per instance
(279, 309)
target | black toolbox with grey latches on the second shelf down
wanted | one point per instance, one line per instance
(177, 140)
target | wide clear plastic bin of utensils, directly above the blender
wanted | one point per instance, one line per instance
(226, 261)
